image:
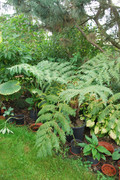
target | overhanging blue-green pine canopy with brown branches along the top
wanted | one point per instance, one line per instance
(57, 14)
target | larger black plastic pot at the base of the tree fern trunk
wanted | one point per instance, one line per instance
(79, 132)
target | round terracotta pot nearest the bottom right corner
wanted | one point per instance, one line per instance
(108, 170)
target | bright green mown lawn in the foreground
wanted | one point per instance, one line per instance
(18, 160)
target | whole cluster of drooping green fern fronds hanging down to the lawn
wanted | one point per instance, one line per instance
(56, 125)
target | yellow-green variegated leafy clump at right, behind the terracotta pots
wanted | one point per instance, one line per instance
(105, 119)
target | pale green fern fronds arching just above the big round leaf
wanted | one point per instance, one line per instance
(45, 71)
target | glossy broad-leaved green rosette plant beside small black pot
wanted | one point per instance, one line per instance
(93, 149)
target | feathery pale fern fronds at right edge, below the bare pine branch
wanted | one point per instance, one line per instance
(102, 69)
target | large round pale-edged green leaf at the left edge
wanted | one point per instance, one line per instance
(9, 87)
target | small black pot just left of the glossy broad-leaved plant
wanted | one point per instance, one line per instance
(75, 148)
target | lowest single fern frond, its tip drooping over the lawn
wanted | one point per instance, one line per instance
(47, 140)
